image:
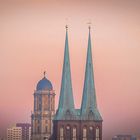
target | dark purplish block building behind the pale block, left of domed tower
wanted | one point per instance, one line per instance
(26, 130)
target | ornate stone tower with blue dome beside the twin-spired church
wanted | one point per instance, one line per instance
(44, 110)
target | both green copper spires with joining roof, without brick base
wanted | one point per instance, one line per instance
(66, 109)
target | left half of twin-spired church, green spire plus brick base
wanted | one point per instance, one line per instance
(66, 115)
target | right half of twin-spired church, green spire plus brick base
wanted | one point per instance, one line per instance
(91, 120)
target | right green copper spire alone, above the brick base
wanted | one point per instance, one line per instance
(89, 106)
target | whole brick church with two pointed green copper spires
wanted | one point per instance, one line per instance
(77, 124)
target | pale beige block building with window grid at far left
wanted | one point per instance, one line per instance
(14, 133)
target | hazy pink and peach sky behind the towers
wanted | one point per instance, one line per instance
(32, 35)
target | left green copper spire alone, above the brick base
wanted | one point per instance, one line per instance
(66, 102)
